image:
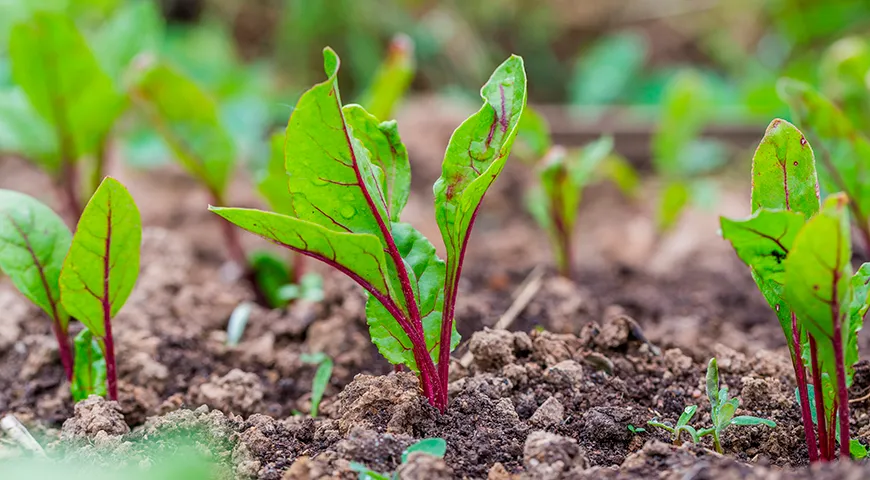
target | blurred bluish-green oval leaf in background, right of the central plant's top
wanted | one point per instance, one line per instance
(604, 72)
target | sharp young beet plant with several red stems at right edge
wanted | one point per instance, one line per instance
(799, 255)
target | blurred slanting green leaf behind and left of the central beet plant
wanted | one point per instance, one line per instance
(188, 120)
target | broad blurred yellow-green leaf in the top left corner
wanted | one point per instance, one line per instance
(54, 66)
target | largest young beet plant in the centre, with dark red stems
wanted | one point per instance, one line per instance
(349, 179)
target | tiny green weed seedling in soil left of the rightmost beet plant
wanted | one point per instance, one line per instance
(722, 411)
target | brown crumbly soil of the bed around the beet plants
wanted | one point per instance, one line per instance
(552, 396)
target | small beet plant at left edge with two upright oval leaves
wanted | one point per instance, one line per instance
(87, 276)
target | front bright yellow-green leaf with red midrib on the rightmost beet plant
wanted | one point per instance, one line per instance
(817, 279)
